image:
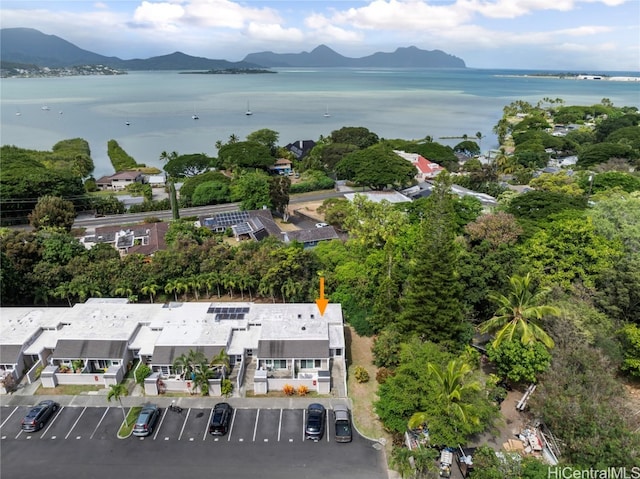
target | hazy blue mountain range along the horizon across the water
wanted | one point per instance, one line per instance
(29, 46)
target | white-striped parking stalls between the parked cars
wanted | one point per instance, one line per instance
(102, 423)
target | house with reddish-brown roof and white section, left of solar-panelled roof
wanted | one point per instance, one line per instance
(145, 238)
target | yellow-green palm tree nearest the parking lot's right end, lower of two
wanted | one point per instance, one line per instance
(452, 388)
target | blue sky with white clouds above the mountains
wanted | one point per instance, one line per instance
(564, 35)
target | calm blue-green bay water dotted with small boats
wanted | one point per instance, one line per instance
(393, 103)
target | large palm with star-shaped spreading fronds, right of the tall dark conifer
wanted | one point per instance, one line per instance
(518, 314)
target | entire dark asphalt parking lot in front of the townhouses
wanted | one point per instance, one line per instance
(265, 443)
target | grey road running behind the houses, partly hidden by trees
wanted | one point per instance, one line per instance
(132, 218)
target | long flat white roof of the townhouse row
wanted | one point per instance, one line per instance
(144, 326)
